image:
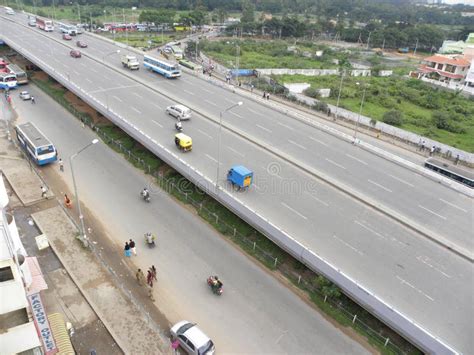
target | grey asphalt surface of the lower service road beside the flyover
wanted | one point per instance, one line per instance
(255, 314)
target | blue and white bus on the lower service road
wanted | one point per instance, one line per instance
(38, 147)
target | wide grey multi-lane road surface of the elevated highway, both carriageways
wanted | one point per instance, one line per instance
(409, 272)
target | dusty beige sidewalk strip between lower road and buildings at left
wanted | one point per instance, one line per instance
(132, 329)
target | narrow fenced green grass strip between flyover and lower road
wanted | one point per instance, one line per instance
(246, 237)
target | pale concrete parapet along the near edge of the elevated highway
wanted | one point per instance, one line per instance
(404, 325)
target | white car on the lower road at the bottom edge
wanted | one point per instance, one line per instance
(192, 339)
